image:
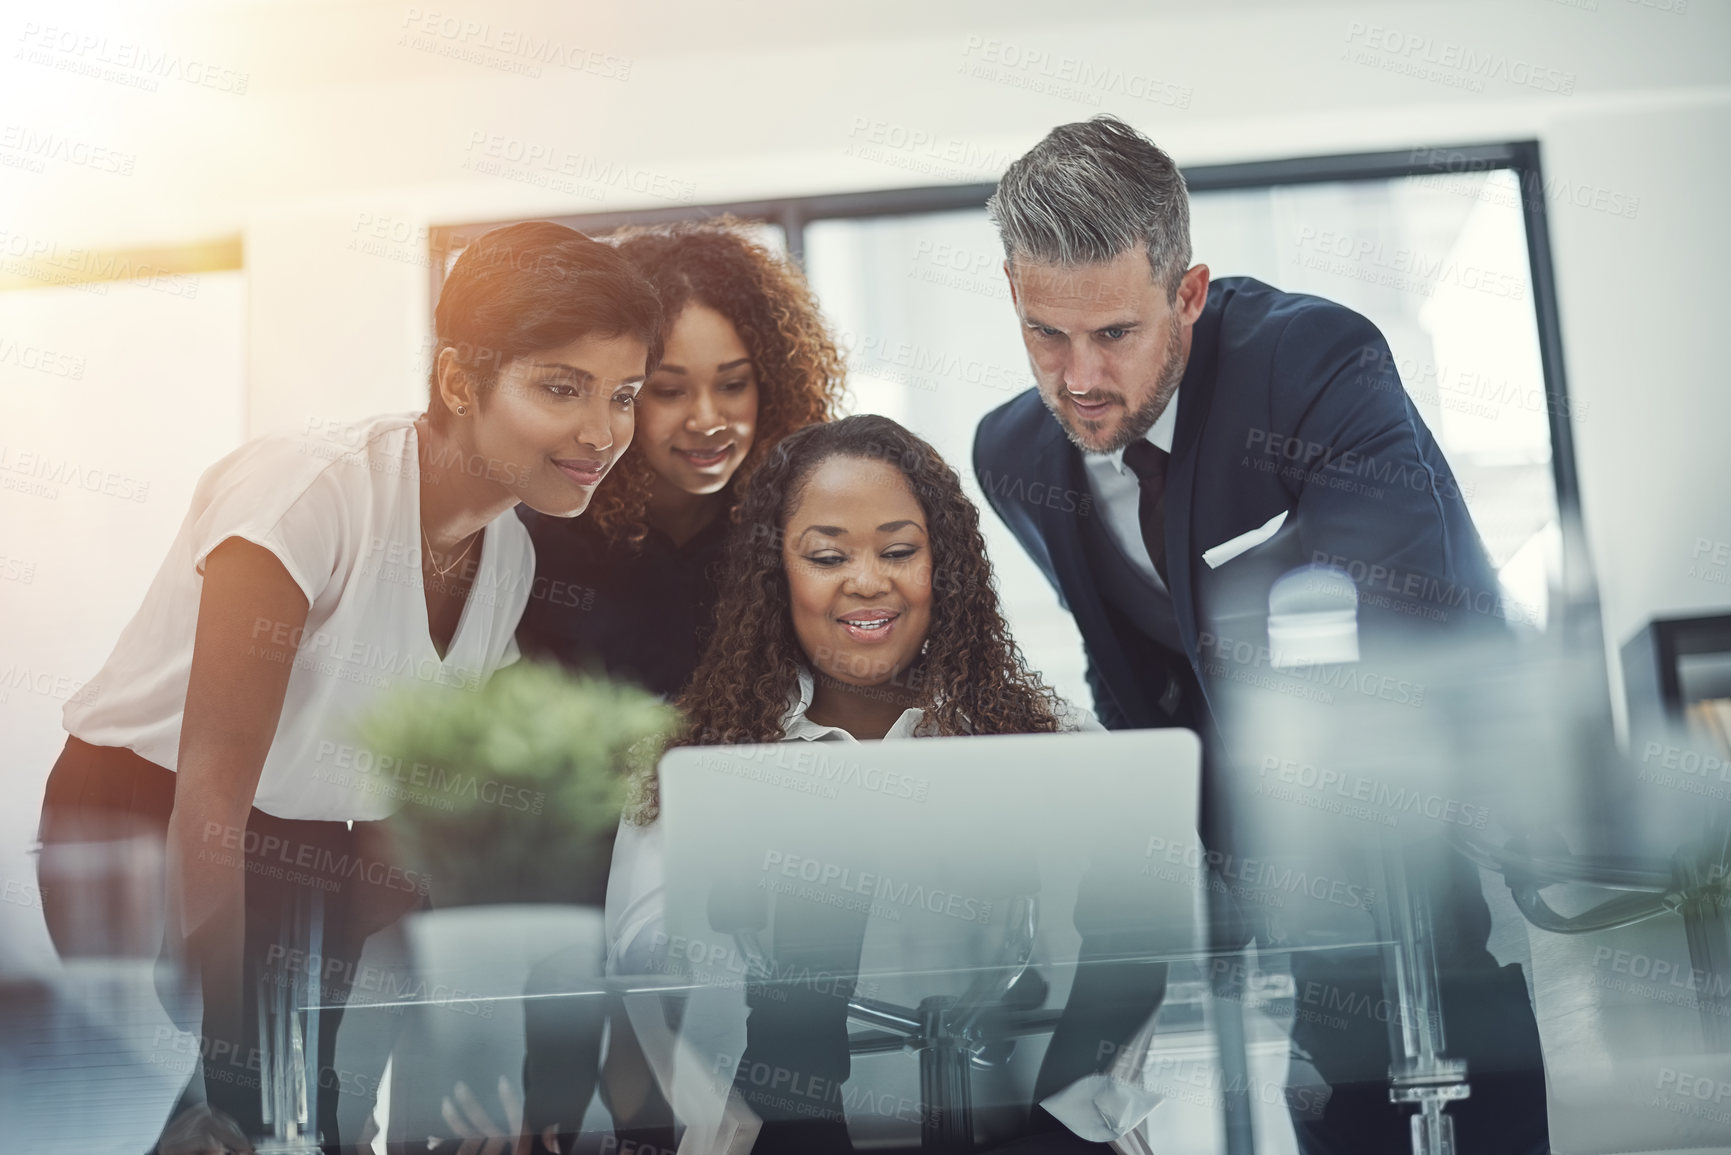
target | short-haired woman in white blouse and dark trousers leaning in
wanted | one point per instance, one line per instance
(314, 572)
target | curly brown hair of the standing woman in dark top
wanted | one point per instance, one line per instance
(801, 371)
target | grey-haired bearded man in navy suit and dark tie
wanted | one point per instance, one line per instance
(1202, 441)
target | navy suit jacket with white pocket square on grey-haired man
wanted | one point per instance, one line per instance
(1289, 404)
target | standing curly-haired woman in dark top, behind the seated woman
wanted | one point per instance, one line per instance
(749, 361)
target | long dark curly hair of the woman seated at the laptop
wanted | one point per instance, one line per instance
(970, 678)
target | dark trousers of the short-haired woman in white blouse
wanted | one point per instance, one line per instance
(314, 894)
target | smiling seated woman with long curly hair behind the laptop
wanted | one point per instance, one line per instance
(858, 605)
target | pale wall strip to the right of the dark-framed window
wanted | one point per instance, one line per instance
(1644, 309)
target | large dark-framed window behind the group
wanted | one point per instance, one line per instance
(1445, 250)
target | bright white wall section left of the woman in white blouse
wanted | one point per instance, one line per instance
(113, 401)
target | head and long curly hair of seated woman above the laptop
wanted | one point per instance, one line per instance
(891, 629)
